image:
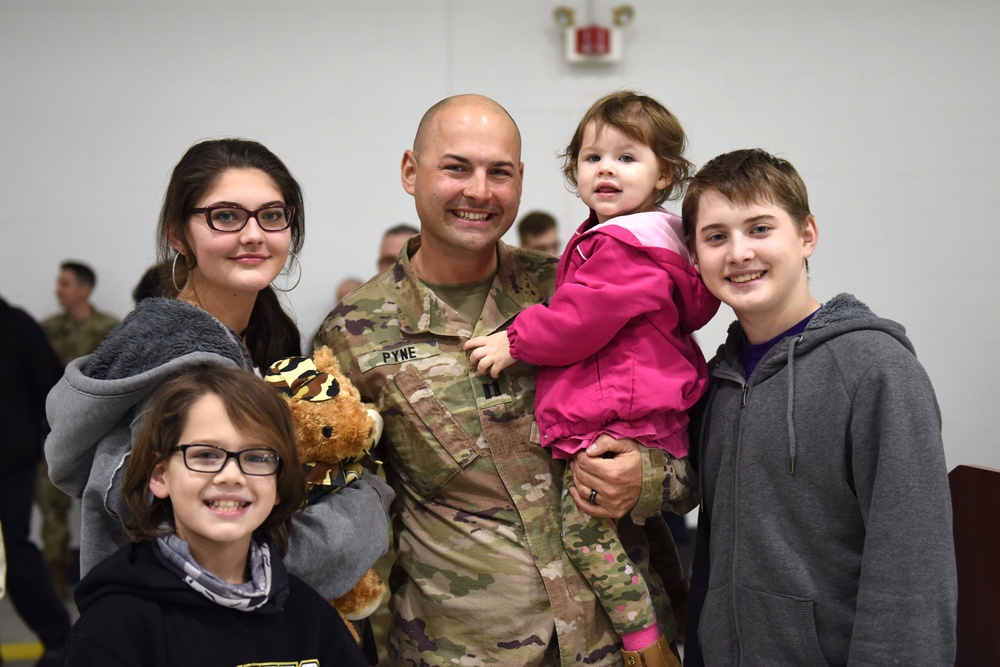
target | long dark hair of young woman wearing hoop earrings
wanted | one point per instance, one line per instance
(271, 333)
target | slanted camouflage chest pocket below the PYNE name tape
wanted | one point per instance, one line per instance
(430, 443)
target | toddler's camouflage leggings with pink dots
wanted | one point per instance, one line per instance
(594, 547)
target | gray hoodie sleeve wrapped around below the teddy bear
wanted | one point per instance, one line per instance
(335, 541)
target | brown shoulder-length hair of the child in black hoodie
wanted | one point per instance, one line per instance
(252, 406)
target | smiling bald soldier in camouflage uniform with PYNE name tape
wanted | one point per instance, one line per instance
(481, 576)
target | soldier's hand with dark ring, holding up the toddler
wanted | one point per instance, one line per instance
(612, 468)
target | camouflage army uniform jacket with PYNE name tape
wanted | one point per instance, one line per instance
(480, 574)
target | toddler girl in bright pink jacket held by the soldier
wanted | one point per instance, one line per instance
(614, 346)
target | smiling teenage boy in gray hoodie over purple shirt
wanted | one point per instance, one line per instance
(825, 532)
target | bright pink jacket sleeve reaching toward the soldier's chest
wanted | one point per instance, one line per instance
(614, 285)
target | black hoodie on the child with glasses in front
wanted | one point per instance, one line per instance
(135, 611)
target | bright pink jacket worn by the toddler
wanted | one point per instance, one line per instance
(614, 346)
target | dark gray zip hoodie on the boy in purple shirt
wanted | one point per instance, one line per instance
(825, 536)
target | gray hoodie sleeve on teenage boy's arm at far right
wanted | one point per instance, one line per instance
(906, 607)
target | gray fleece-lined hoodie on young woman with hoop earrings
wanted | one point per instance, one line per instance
(95, 413)
